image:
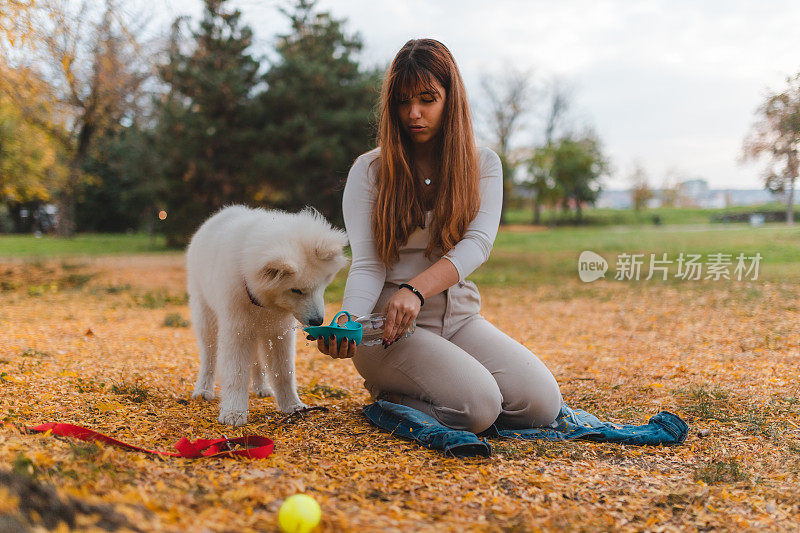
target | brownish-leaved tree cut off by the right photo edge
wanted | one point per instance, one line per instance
(777, 135)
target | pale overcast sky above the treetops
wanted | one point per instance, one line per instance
(671, 84)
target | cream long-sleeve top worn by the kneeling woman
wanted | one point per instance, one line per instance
(368, 274)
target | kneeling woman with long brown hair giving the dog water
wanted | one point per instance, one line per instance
(422, 210)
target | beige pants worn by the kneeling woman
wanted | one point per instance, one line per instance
(459, 368)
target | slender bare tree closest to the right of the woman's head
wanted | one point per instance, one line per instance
(509, 97)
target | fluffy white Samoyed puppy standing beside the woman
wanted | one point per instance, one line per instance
(252, 273)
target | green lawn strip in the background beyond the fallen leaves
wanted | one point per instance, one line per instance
(537, 257)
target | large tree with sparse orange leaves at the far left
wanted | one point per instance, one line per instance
(93, 69)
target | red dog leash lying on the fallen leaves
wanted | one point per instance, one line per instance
(257, 447)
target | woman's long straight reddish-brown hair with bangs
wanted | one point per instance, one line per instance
(399, 208)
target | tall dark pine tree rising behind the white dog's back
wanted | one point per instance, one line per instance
(207, 134)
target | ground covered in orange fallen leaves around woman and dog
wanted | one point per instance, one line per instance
(101, 342)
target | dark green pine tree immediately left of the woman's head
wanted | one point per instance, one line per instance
(318, 111)
